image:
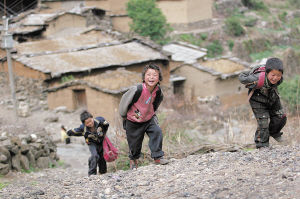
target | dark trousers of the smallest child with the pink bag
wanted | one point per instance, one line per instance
(96, 159)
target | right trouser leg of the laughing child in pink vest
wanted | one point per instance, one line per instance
(155, 139)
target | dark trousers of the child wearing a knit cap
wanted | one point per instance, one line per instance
(270, 122)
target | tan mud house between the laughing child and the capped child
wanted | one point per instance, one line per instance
(210, 78)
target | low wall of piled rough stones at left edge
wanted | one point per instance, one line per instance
(26, 152)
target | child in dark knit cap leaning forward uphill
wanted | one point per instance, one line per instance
(265, 101)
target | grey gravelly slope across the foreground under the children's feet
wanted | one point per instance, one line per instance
(265, 173)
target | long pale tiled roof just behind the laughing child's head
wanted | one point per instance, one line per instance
(87, 59)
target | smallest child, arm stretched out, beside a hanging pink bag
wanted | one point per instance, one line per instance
(93, 130)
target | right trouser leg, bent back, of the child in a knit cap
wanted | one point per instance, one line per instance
(278, 121)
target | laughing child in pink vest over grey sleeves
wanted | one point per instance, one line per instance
(137, 107)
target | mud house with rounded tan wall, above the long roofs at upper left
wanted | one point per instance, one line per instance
(37, 25)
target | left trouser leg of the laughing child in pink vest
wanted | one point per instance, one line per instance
(135, 136)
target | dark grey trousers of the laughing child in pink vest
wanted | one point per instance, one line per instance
(135, 135)
